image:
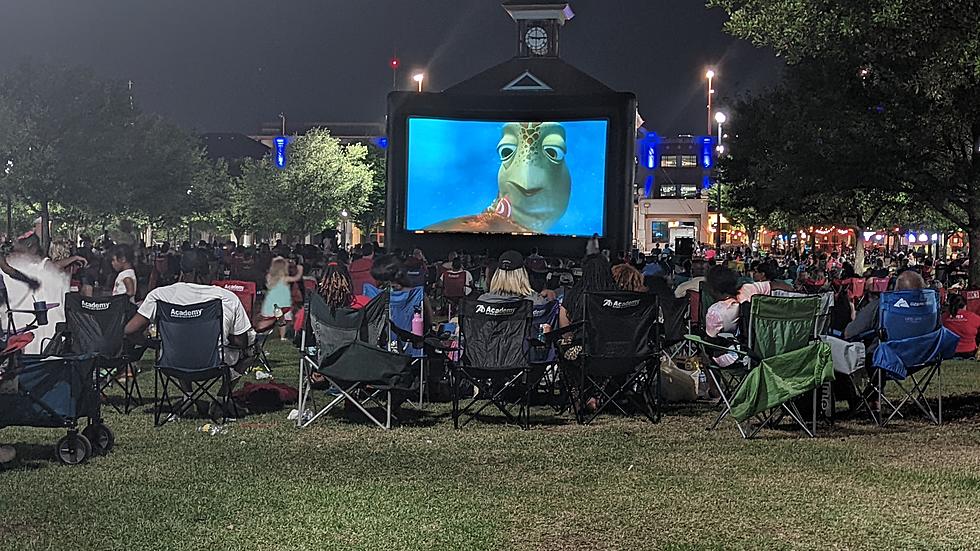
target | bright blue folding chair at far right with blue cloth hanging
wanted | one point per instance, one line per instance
(912, 346)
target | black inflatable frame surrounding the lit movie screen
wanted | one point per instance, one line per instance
(618, 109)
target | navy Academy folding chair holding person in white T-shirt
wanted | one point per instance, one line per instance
(191, 359)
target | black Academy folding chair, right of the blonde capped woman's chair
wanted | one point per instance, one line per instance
(620, 355)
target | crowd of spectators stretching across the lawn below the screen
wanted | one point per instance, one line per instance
(346, 276)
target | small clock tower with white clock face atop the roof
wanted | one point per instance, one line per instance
(538, 24)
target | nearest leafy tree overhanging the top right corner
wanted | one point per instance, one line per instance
(920, 61)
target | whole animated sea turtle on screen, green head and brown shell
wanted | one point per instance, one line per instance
(533, 183)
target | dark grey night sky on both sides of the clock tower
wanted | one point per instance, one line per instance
(228, 65)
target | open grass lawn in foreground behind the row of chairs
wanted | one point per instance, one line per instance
(619, 484)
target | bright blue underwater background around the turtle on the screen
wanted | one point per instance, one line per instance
(453, 166)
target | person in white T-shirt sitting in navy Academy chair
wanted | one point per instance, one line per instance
(192, 288)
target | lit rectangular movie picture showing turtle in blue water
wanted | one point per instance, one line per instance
(476, 176)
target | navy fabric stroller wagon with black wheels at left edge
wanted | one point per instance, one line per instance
(50, 391)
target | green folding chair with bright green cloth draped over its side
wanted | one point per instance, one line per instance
(784, 361)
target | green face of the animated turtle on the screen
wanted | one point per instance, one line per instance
(533, 175)
